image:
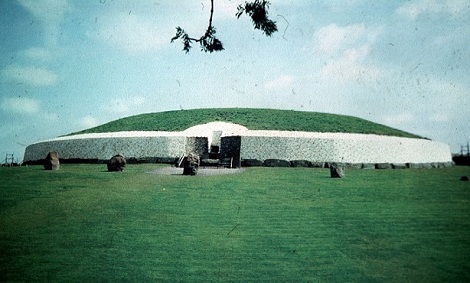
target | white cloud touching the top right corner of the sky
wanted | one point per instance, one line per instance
(413, 9)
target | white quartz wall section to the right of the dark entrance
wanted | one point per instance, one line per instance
(355, 149)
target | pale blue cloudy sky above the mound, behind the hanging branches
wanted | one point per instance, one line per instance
(68, 65)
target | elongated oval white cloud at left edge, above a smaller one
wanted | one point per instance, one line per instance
(30, 75)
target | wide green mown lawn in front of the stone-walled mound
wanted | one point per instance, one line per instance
(265, 224)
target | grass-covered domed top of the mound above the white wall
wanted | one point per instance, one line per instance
(253, 119)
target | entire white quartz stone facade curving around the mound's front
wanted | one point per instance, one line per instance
(246, 146)
